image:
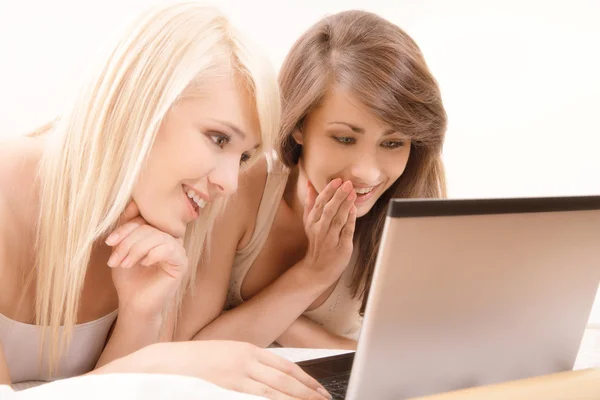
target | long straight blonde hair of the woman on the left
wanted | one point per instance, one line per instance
(97, 148)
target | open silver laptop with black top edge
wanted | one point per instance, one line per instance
(472, 292)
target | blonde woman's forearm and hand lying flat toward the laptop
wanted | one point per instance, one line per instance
(237, 366)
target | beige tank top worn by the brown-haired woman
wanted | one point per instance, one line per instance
(339, 314)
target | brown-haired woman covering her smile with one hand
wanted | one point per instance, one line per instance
(362, 122)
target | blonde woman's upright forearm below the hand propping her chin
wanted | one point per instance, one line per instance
(131, 333)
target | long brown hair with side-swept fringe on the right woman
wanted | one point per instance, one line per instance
(384, 68)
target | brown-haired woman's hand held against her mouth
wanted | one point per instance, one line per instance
(329, 221)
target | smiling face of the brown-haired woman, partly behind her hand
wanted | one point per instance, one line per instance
(344, 139)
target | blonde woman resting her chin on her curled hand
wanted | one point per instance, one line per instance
(104, 210)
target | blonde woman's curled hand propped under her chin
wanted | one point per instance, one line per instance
(148, 264)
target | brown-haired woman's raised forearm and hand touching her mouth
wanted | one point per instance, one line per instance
(267, 315)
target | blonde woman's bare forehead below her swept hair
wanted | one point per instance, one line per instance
(227, 99)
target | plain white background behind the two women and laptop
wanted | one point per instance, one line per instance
(519, 78)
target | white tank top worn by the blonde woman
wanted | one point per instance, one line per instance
(21, 343)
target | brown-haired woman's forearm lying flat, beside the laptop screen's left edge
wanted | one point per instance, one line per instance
(305, 333)
